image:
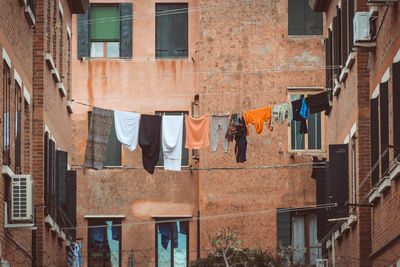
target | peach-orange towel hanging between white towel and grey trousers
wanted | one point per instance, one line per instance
(197, 131)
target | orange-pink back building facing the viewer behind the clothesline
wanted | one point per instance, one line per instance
(197, 57)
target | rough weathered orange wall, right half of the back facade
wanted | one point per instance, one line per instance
(251, 60)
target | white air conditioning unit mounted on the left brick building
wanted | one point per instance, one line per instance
(21, 198)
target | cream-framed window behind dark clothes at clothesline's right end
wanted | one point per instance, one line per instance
(313, 139)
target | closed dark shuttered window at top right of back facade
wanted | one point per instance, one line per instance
(302, 20)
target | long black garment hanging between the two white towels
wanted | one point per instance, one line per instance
(149, 140)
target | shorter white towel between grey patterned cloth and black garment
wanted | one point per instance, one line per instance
(127, 128)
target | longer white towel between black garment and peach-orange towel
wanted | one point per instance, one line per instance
(172, 127)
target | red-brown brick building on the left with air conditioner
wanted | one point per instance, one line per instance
(35, 85)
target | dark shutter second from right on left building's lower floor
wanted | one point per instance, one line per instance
(62, 159)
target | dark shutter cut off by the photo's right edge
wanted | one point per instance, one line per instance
(396, 107)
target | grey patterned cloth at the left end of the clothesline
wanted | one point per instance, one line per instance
(99, 130)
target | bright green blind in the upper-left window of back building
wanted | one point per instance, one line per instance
(104, 24)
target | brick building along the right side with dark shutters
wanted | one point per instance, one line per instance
(363, 41)
